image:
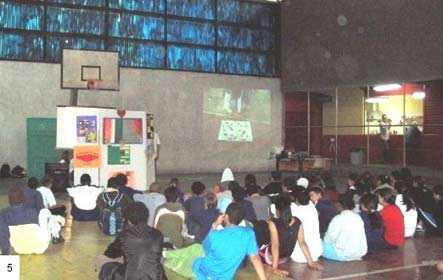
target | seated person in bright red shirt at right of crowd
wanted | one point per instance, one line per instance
(394, 226)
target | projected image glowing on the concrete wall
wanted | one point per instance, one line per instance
(236, 116)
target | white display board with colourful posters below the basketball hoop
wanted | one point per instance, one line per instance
(104, 143)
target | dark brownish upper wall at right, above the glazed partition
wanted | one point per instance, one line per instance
(354, 42)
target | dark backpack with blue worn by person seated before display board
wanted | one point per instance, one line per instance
(111, 219)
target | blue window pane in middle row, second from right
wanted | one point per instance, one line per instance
(191, 32)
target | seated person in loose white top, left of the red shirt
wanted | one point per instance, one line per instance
(345, 239)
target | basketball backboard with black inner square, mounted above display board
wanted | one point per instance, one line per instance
(85, 69)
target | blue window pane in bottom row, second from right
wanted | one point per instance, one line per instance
(190, 58)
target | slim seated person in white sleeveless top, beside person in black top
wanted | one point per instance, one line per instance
(305, 211)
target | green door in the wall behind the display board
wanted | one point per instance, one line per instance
(41, 141)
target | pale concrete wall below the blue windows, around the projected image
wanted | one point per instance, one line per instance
(175, 98)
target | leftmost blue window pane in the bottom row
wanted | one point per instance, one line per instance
(22, 47)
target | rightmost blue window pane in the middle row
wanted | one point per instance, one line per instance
(245, 38)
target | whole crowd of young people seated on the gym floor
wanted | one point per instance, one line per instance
(298, 219)
